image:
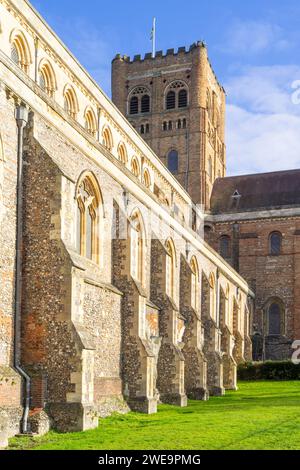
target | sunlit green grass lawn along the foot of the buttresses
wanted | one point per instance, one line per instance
(261, 415)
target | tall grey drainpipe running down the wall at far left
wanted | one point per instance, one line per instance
(22, 119)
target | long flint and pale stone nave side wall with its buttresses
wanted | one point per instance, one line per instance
(100, 331)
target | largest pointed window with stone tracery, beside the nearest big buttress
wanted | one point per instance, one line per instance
(88, 217)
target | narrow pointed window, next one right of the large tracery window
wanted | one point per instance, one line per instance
(137, 248)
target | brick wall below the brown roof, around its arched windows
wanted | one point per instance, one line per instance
(270, 277)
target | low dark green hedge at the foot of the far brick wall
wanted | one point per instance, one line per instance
(270, 370)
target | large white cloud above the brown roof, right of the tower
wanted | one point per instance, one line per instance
(263, 125)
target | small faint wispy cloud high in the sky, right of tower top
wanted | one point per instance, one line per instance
(253, 37)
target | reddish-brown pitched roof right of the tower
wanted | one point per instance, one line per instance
(256, 192)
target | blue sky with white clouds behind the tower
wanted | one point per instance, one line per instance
(253, 46)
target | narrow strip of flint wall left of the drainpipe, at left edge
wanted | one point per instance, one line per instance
(10, 383)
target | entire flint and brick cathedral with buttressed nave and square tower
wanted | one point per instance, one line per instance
(133, 272)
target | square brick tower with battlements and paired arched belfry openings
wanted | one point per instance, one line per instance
(178, 106)
